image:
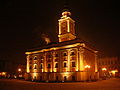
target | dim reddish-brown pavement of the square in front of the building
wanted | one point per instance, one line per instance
(13, 84)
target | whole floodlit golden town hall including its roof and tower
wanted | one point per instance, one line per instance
(70, 59)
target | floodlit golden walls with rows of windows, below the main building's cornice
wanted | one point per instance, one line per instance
(64, 64)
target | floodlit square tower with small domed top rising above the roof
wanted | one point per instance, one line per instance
(66, 27)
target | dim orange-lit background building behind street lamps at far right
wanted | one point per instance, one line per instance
(112, 66)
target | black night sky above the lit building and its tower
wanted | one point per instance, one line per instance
(23, 21)
